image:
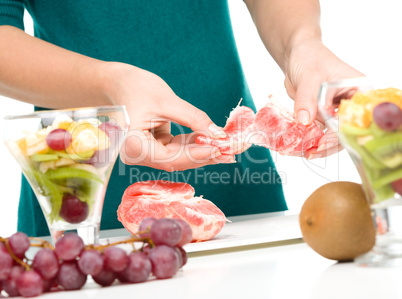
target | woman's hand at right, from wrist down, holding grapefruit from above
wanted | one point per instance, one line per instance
(309, 64)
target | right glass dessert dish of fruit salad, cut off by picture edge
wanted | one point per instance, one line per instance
(368, 122)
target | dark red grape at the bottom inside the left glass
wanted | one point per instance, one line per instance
(73, 210)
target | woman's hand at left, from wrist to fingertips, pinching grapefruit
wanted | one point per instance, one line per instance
(152, 105)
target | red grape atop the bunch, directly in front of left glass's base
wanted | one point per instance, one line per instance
(69, 247)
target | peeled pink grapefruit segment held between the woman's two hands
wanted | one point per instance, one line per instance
(273, 127)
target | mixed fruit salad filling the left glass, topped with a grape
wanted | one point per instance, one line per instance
(67, 164)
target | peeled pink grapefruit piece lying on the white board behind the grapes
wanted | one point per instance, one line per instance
(165, 199)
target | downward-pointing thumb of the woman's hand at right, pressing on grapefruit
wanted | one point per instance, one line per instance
(305, 108)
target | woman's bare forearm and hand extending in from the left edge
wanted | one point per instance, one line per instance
(75, 80)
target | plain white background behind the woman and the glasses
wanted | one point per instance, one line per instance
(364, 33)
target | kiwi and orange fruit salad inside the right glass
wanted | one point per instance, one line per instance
(371, 124)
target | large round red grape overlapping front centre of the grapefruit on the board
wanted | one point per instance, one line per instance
(166, 231)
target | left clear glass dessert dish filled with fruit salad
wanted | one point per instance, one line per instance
(67, 157)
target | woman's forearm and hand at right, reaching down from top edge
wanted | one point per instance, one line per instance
(290, 30)
